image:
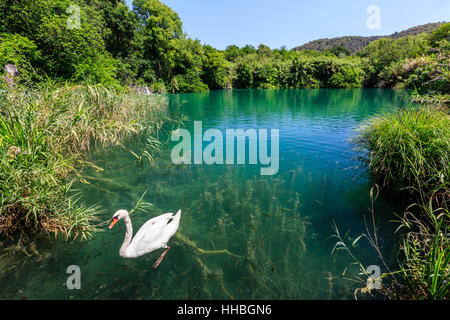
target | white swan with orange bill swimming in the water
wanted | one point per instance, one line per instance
(153, 235)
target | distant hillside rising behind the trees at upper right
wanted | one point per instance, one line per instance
(357, 43)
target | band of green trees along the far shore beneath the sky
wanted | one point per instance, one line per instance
(145, 45)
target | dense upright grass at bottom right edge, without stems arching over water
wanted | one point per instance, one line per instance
(426, 249)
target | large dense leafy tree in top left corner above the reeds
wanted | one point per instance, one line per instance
(63, 49)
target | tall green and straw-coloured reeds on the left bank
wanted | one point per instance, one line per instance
(44, 134)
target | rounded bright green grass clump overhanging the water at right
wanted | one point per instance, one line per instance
(408, 148)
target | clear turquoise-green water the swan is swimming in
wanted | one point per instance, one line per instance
(276, 229)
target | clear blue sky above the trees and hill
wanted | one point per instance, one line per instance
(294, 22)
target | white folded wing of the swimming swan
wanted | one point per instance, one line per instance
(150, 235)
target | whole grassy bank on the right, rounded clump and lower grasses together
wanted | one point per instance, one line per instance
(408, 153)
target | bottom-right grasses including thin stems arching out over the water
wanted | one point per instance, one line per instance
(424, 254)
